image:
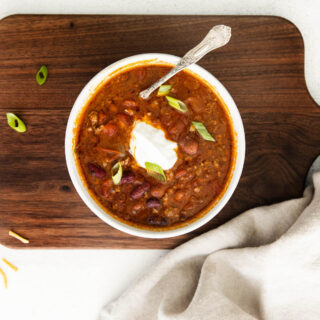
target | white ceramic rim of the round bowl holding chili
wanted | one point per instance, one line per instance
(86, 94)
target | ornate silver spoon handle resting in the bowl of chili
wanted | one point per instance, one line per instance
(217, 37)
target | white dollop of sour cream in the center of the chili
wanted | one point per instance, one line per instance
(149, 144)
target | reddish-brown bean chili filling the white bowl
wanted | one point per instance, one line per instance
(203, 167)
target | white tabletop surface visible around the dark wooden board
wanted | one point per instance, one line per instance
(74, 284)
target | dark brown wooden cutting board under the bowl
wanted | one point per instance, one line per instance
(262, 67)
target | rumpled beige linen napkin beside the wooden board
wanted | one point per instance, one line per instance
(264, 264)
